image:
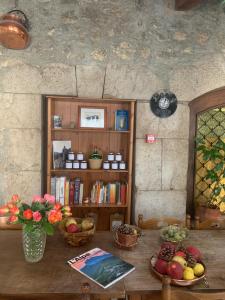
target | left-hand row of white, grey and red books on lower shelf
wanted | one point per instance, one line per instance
(67, 191)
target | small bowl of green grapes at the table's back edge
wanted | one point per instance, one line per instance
(174, 233)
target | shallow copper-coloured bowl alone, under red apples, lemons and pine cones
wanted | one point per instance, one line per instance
(177, 282)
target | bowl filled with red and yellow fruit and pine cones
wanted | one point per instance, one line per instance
(182, 264)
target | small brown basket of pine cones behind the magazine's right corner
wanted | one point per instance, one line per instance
(126, 235)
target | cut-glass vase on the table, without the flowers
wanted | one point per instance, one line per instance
(34, 243)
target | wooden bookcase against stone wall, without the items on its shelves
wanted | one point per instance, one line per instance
(106, 139)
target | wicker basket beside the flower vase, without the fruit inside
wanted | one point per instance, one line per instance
(79, 238)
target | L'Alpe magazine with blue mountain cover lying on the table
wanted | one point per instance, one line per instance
(100, 266)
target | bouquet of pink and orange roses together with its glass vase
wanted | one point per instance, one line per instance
(38, 219)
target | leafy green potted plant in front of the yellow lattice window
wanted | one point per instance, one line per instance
(213, 157)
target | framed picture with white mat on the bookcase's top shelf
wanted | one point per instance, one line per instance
(92, 117)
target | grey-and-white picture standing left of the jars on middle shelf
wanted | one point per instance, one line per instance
(60, 151)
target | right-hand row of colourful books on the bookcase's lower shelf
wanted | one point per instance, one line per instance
(111, 193)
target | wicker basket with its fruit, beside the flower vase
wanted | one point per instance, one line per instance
(77, 231)
